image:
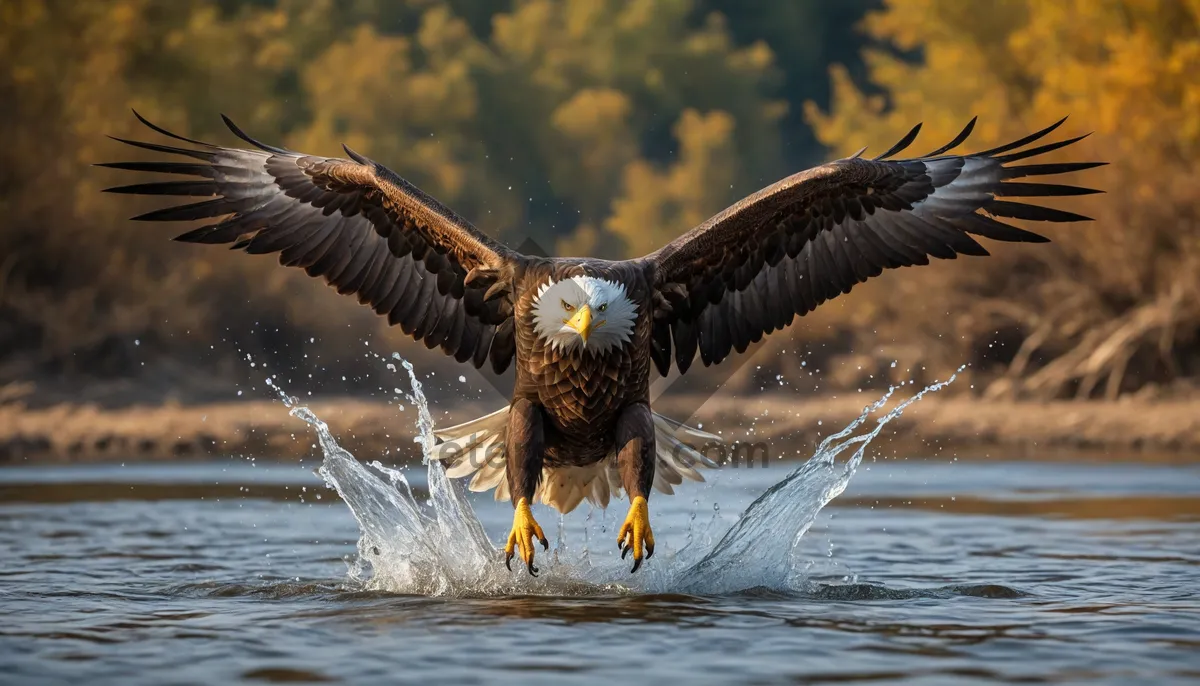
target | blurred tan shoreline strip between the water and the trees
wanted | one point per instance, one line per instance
(789, 428)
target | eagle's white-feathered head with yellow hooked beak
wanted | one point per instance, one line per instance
(584, 314)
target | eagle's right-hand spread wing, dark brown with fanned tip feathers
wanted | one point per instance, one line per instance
(794, 245)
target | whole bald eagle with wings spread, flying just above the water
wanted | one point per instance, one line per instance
(586, 333)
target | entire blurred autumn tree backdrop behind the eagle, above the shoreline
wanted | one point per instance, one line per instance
(595, 128)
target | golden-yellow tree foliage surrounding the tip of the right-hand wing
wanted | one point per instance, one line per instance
(1126, 69)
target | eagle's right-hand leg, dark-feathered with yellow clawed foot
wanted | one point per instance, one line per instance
(637, 458)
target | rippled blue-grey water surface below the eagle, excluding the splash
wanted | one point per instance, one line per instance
(923, 571)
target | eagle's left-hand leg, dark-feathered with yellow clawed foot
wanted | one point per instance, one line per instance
(526, 450)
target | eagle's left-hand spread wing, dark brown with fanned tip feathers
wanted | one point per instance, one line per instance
(353, 222)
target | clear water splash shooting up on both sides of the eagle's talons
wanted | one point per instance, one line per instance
(440, 547)
